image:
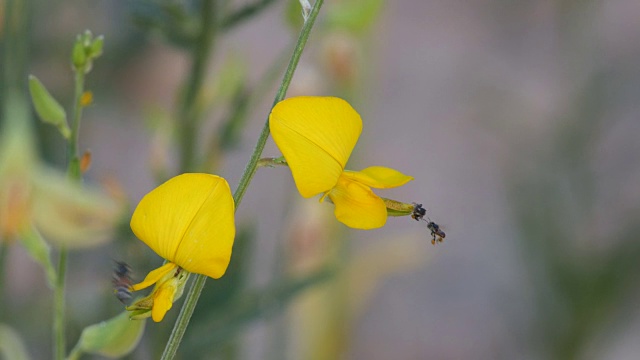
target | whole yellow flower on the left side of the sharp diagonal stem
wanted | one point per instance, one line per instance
(189, 221)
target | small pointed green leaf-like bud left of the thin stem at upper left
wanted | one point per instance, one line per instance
(48, 108)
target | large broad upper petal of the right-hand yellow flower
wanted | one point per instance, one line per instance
(316, 136)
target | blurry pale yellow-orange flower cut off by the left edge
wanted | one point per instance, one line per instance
(33, 194)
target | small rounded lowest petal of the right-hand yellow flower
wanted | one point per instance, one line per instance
(357, 206)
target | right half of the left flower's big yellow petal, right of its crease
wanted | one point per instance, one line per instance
(207, 243)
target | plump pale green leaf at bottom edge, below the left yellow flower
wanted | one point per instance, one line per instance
(113, 338)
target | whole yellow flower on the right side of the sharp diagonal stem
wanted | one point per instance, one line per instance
(316, 136)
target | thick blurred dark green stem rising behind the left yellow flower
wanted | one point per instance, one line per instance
(188, 114)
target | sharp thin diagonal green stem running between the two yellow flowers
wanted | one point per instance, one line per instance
(196, 288)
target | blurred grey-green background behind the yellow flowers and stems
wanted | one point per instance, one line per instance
(518, 120)
